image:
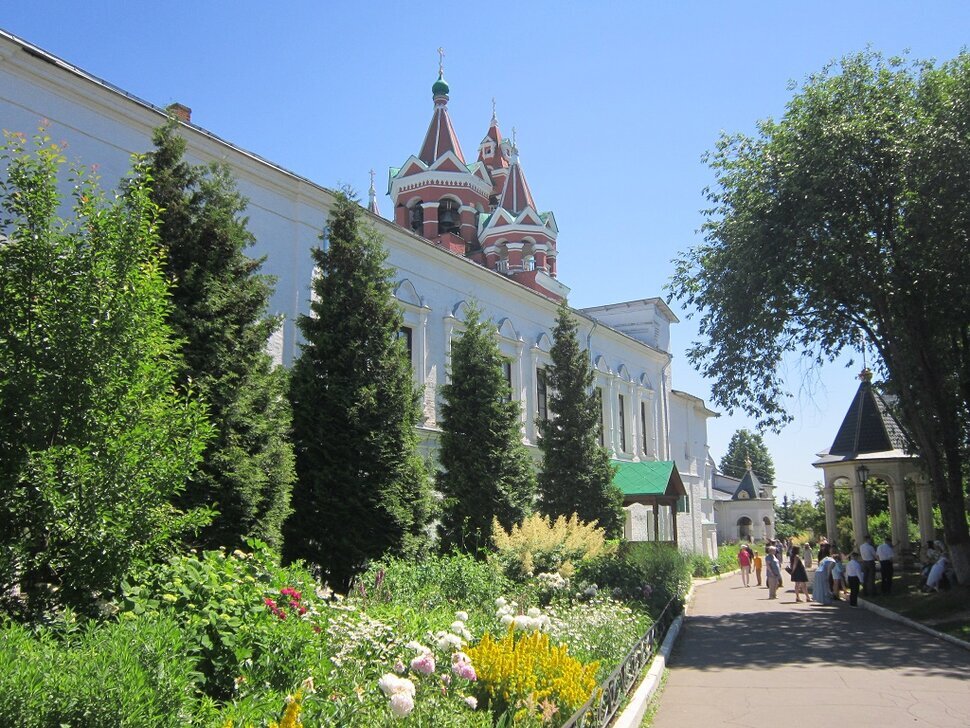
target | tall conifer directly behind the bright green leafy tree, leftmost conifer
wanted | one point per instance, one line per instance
(220, 314)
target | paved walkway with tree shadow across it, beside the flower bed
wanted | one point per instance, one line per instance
(743, 660)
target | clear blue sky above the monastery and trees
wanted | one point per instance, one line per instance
(614, 104)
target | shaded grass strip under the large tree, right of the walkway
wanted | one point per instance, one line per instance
(945, 611)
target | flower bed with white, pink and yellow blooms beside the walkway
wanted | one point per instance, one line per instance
(234, 639)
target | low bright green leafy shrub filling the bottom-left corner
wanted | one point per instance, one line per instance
(107, 674)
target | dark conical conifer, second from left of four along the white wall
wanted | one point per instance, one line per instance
(362, 489)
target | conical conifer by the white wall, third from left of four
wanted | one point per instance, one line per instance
(487, 471)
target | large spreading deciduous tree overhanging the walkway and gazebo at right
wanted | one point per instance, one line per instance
(849, 215)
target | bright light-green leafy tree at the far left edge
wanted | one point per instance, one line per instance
(95, 442)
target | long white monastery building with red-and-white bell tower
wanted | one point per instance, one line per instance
(464, 229)
